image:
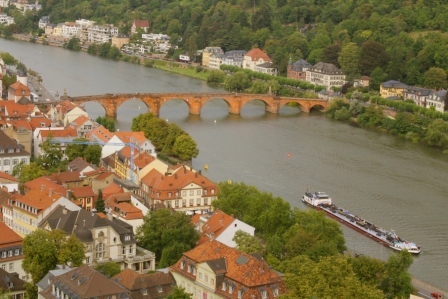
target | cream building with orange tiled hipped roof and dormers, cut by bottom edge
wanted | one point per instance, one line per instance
(215, 271)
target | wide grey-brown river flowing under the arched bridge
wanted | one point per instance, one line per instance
(392, 182)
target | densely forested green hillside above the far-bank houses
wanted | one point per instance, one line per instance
(404, 38)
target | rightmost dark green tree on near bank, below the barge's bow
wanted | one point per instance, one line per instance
(397, 282)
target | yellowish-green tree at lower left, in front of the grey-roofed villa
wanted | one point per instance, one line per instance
(44, 249)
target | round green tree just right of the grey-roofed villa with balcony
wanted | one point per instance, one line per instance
(163, 228)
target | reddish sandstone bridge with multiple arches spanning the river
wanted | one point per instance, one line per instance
(195, 101)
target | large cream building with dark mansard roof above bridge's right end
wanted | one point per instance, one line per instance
(325, 74)
